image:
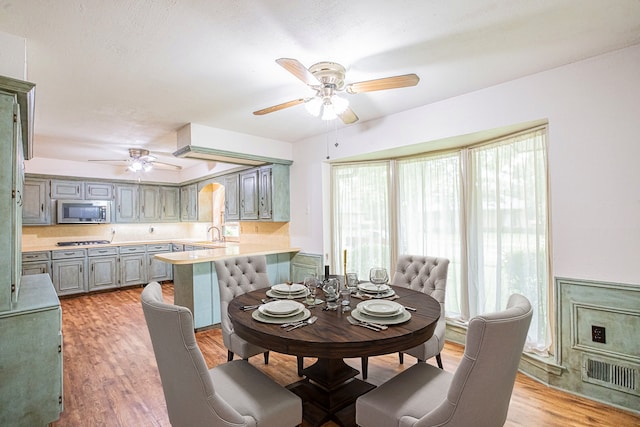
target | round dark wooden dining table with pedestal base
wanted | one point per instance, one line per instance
(329, 387)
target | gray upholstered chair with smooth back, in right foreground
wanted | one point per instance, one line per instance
(477, 394)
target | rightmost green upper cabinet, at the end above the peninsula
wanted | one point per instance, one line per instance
(274, 188)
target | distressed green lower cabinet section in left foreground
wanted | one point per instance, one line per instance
(31, 355)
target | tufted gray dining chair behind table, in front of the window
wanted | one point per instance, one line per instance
(428, 275)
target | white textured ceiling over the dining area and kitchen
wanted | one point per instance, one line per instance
(120, 73)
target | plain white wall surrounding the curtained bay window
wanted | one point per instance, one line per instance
(593, 109)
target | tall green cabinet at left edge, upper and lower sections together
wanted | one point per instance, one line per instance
(30, 316)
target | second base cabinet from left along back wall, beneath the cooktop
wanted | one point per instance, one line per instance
(69, 271)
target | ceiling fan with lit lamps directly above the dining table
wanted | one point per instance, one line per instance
(327, 79)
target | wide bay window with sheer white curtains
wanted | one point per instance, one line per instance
(484, 207)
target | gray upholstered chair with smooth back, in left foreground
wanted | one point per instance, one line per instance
(234, 393)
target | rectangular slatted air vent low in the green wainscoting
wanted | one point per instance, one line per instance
(611, 373)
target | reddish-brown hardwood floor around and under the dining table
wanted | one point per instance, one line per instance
(111, 378)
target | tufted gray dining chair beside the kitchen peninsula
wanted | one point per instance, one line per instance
(237, 276)
